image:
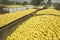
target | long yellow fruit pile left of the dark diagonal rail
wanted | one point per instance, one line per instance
(9, 17)
